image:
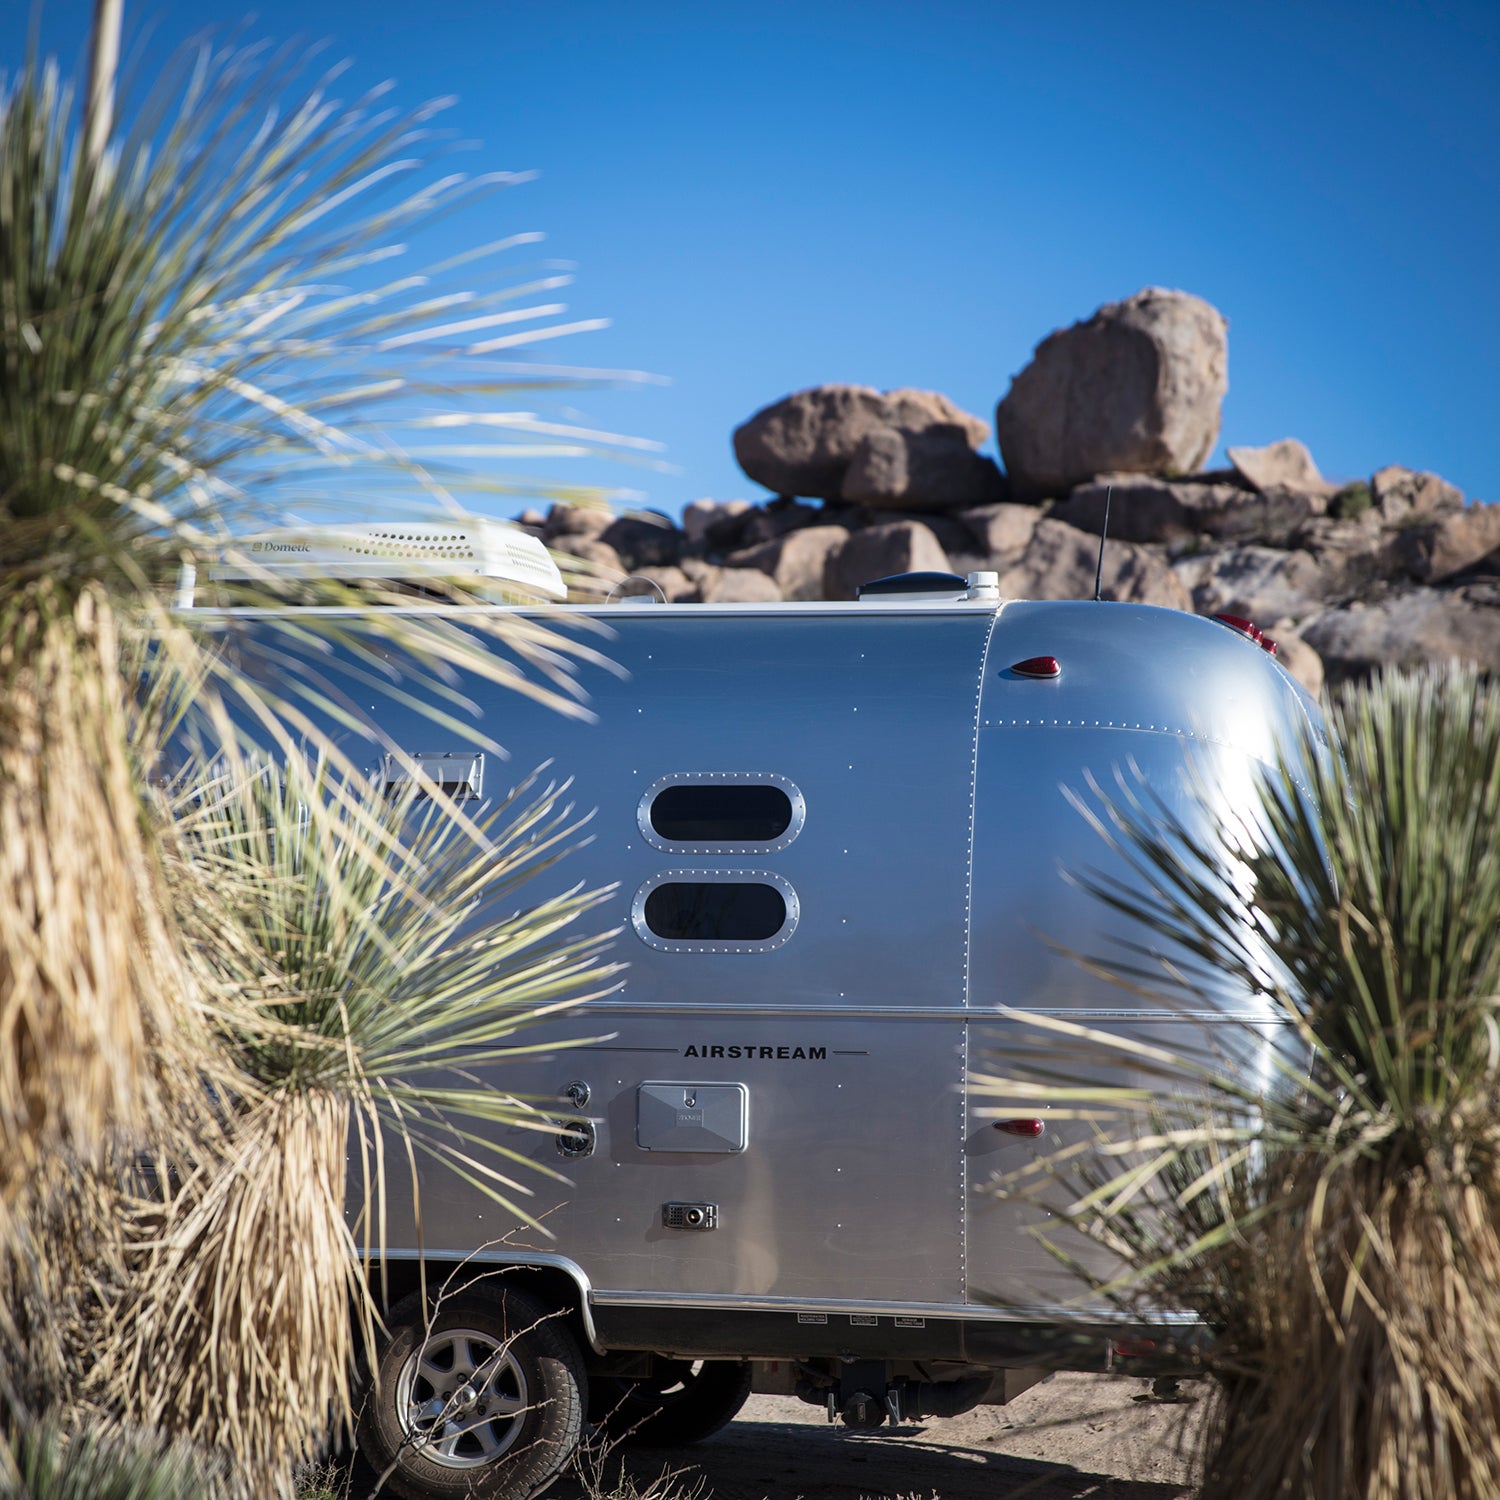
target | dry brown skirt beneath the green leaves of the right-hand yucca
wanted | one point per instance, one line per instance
(1364, 1358)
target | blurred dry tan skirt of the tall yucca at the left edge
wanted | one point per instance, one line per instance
(92, 988)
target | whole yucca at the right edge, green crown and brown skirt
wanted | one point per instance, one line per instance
(1342, 1235)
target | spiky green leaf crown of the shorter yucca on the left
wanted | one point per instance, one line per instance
(385, 950)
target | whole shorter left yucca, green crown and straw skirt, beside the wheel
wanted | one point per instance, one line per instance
(365, 991)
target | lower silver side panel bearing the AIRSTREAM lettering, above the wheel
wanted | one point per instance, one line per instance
(850, 1184)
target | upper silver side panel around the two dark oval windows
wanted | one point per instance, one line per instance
(869, 713)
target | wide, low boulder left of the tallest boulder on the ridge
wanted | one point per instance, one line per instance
(890, 451)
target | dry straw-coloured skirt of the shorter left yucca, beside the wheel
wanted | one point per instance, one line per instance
(236, 1330)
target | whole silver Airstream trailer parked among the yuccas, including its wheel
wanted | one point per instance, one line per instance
(839, 839)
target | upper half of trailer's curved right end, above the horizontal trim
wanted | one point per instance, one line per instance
(1153, 700)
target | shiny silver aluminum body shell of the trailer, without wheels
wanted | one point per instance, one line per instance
(931, 902)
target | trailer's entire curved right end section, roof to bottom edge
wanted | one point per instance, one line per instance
(1148, 704)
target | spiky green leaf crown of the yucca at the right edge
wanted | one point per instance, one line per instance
(1364, 904)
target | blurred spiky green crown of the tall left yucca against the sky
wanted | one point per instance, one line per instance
(208, 325)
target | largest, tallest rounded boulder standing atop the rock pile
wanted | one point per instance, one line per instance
(1136, 389)
